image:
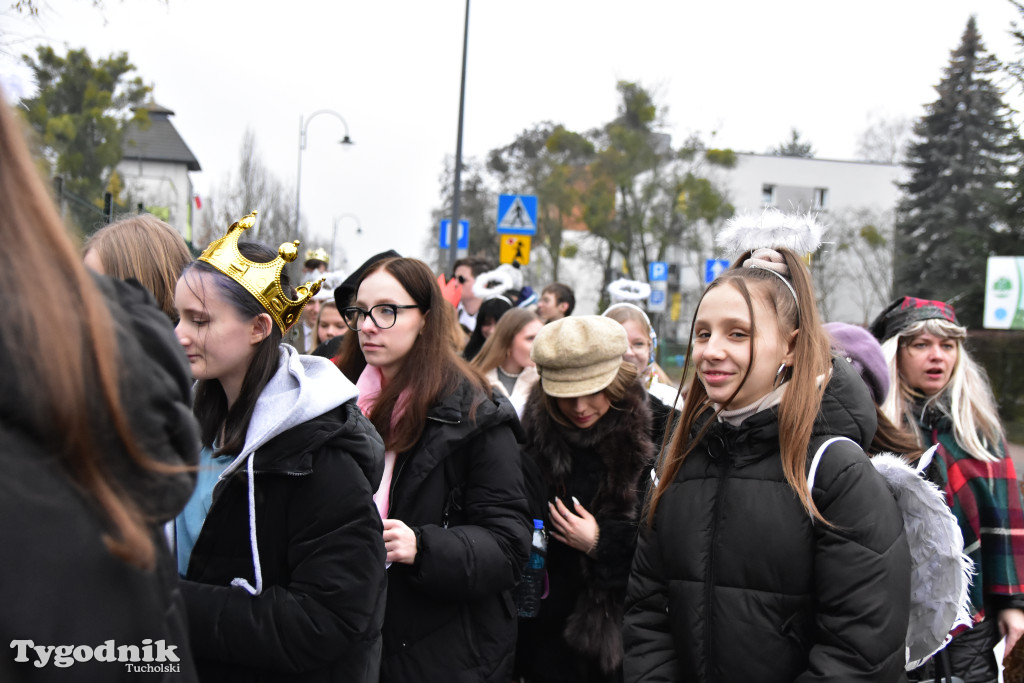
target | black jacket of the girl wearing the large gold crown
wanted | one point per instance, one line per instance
(321, 553)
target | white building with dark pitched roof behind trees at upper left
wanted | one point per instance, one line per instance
(155, 169)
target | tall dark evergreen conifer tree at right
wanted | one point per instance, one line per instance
(954, 204)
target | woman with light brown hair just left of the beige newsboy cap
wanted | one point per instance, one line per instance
(505, 357)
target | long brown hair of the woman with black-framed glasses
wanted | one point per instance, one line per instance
(436, 368)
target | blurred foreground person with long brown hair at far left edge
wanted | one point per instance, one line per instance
(97, 445)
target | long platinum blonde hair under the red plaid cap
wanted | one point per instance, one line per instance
(967, 399)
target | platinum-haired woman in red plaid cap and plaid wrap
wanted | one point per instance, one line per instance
(938, 393)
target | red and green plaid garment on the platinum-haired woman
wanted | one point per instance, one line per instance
(987, 501)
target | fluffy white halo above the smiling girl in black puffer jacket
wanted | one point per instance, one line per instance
(772, 230)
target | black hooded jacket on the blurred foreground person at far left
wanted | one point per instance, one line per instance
(60, 585)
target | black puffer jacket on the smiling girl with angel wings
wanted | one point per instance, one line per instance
(735, 583)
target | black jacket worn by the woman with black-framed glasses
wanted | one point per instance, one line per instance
(451, 616)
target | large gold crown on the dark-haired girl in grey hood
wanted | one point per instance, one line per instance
(262, 280)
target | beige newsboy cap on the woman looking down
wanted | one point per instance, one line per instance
(579, 356)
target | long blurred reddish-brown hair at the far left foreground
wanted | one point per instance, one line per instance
(70, 394)
